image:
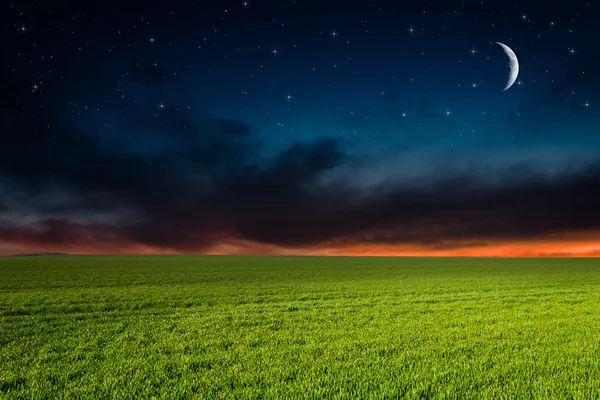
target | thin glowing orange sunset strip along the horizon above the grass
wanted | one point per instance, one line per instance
(575, 244)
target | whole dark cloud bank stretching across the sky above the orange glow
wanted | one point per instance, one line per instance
(212, 185)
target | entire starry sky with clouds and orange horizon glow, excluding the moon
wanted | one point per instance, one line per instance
(299, 127)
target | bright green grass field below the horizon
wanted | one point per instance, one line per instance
(299, 327)
